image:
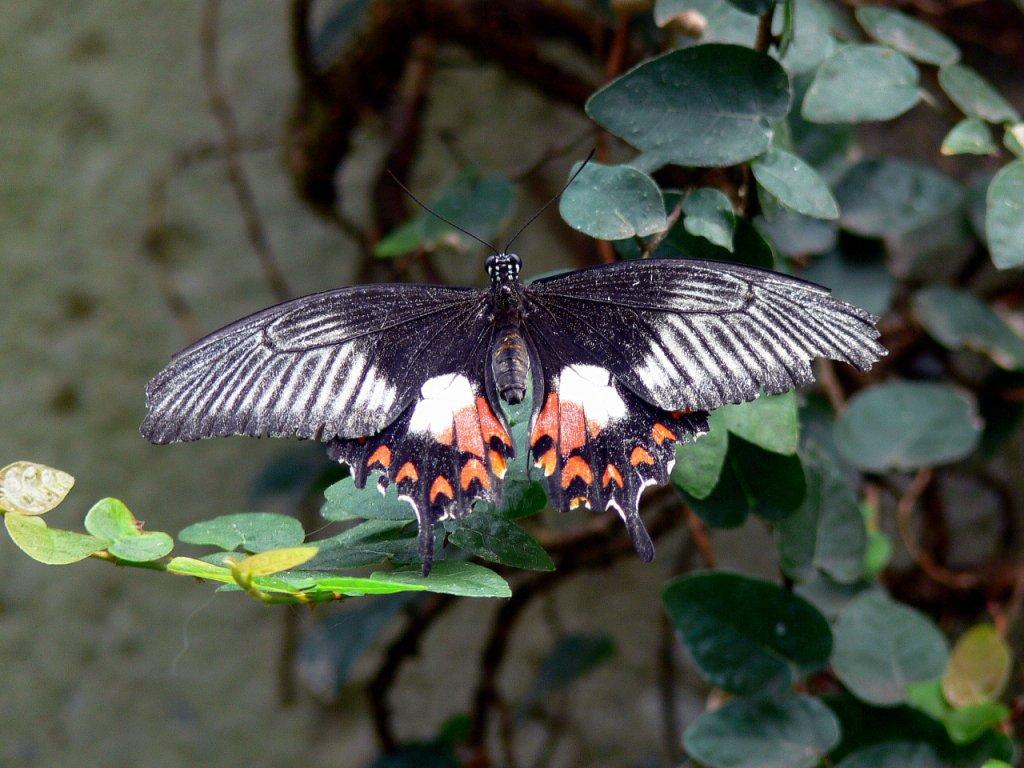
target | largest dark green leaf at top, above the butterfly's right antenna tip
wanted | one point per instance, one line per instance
(665, 105)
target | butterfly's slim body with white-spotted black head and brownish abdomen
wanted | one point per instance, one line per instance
(509, 360)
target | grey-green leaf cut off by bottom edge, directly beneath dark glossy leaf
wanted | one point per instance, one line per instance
(792, 732)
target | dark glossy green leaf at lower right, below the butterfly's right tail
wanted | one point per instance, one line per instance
(746, 633)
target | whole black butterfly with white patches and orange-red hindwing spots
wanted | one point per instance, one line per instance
(405, 380)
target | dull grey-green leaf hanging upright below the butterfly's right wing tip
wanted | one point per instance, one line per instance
(828, 532)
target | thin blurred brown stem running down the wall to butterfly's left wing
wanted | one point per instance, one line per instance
(231, 147)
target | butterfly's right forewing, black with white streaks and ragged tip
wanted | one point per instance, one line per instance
(700, 335)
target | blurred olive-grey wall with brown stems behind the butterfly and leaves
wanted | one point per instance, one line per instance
(163, 175)
